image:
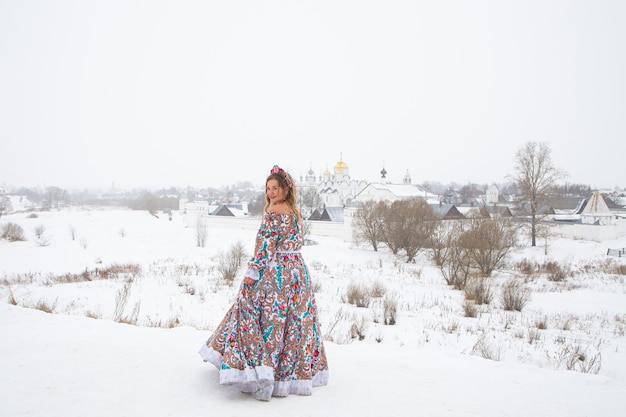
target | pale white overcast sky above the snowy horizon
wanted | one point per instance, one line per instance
(161, 93)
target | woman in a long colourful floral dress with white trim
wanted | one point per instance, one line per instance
(270, 342)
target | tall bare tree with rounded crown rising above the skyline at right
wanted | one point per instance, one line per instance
(536, 177)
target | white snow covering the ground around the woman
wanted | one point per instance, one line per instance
(77, 361)
